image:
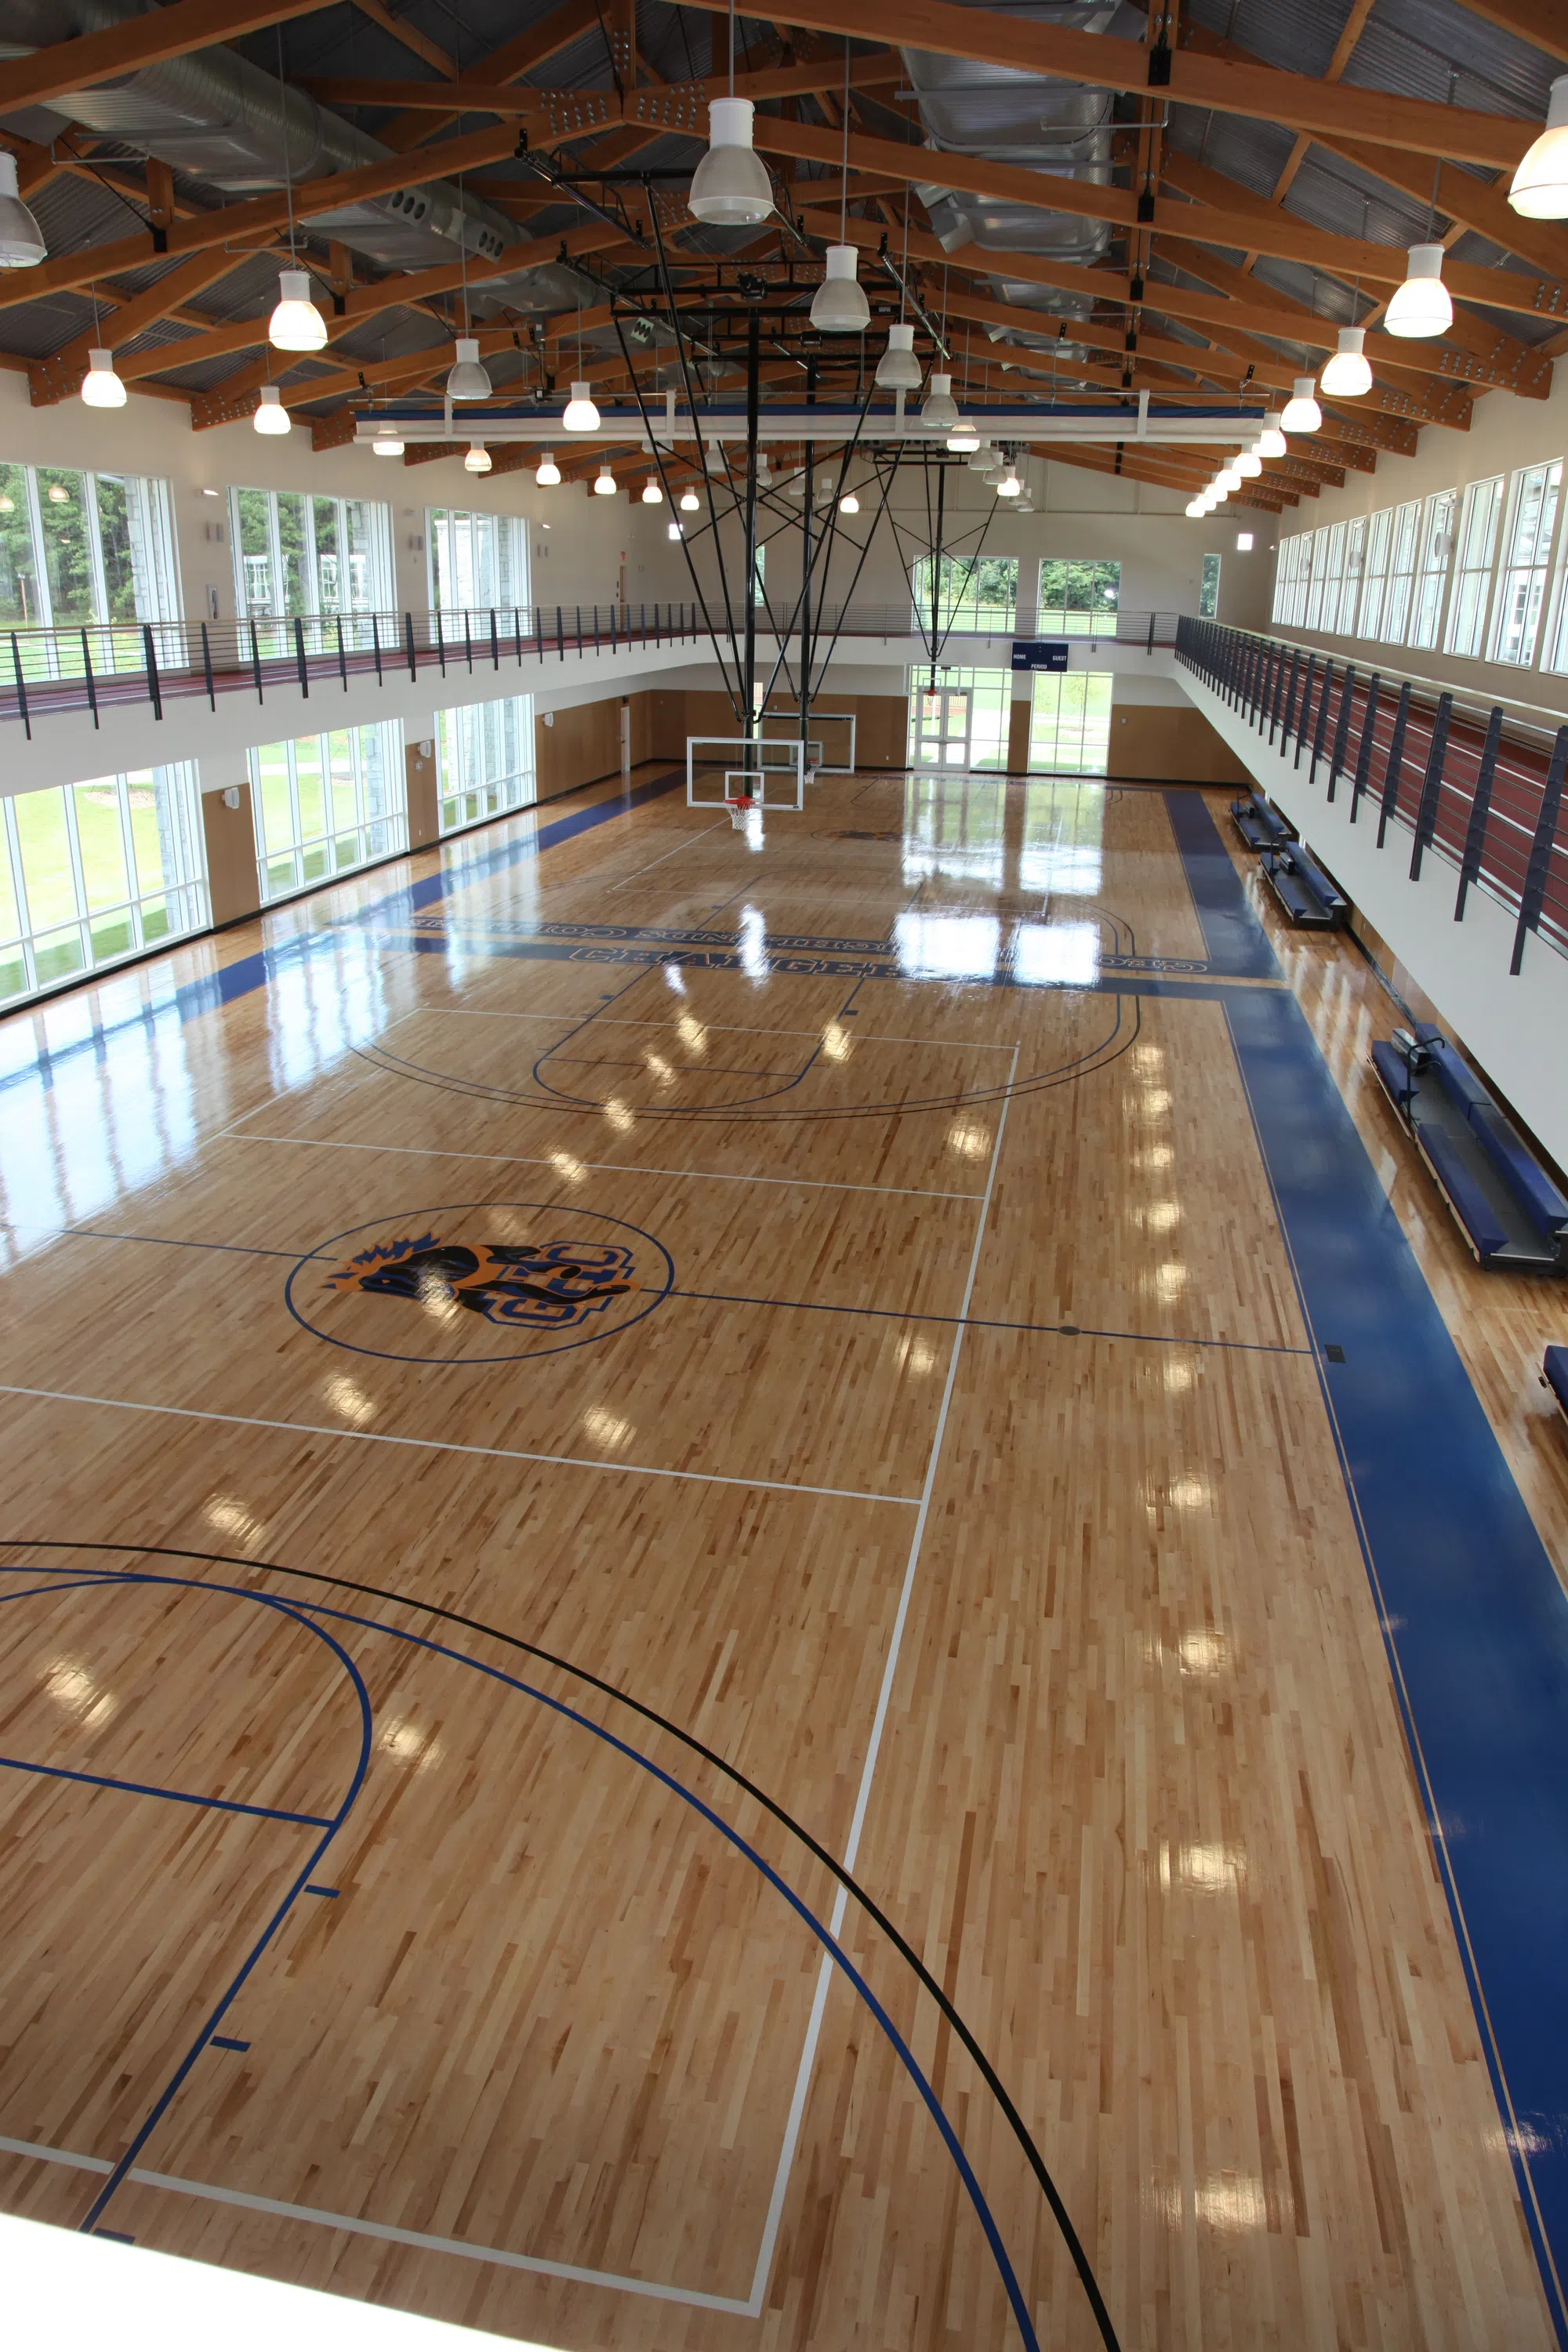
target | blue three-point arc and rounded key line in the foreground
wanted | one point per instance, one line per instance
(304, 1612)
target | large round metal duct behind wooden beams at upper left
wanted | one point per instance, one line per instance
(227, 123)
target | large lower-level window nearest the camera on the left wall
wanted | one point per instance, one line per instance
(98, 871)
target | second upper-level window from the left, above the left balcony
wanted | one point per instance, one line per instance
(297, 554)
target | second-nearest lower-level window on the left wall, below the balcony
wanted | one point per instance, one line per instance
(326, 806)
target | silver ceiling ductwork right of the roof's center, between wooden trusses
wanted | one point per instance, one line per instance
(1026, 119)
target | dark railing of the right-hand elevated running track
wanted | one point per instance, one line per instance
(1442, 775)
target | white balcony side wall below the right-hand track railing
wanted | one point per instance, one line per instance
(1513, 1024)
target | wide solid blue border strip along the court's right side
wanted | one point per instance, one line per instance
(1473, 1615)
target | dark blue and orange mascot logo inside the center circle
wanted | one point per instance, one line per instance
(547, 1288)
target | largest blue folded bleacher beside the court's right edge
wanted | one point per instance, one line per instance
(1501, 1196)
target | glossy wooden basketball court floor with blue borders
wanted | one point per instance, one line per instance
(669, 1490)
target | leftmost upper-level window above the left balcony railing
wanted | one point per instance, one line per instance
(86, 552)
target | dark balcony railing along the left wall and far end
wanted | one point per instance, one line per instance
(109, 664)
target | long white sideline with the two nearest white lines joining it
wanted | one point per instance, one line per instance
(751, 2308)
